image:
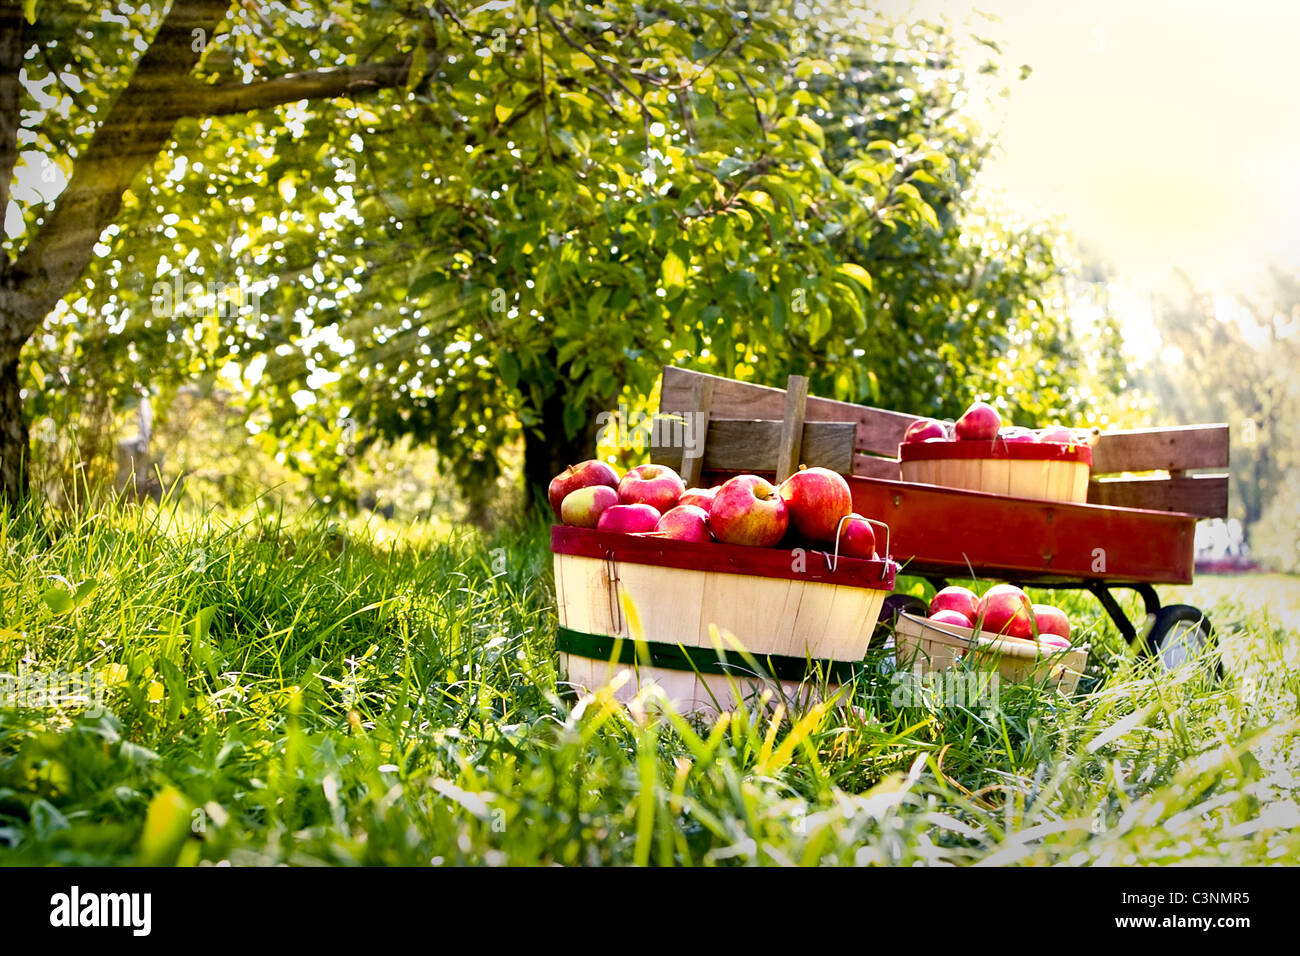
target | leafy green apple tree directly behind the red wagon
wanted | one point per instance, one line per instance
(595, 193)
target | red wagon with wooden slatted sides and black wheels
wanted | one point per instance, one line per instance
(1137, 529)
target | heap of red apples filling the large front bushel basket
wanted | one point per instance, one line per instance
(812, 507)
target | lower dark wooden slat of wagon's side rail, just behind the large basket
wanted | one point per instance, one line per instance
(753, 447)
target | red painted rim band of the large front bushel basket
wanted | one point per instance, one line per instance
(764, 563)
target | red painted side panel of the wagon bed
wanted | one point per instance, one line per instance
(950, 533)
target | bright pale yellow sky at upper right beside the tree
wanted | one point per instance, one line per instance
(1164, 132)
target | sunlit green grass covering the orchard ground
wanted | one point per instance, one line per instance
(311, 694)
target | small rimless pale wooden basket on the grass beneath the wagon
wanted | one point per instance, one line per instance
(926, 647)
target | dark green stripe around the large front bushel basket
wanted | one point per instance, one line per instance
(703, 660)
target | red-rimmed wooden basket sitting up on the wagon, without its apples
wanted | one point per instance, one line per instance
(1021, 470)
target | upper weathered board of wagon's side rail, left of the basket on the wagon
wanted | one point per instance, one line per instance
(878, 431)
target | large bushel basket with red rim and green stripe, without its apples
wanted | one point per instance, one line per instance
(712, 625)
